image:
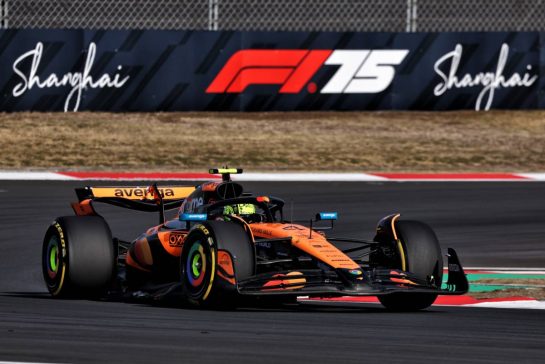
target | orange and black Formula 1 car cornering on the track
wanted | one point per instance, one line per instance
(226, 247)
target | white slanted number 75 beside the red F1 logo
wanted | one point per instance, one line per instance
(363, 71)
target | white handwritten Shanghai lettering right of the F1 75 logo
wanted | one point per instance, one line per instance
(489, 81)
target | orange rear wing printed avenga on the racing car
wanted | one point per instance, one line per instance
(150, 199)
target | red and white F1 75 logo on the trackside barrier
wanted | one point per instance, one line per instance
(360, 71)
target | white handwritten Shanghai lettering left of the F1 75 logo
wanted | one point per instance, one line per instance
(79, 81)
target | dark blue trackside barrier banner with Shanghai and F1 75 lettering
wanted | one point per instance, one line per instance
(152, 70)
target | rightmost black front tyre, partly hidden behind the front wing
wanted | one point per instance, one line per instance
(422, 257)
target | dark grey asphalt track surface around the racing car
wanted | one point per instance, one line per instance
(490, 224)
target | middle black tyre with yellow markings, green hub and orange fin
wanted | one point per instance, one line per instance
(214, 257)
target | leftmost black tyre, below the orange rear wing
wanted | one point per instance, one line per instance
(78, 257)
